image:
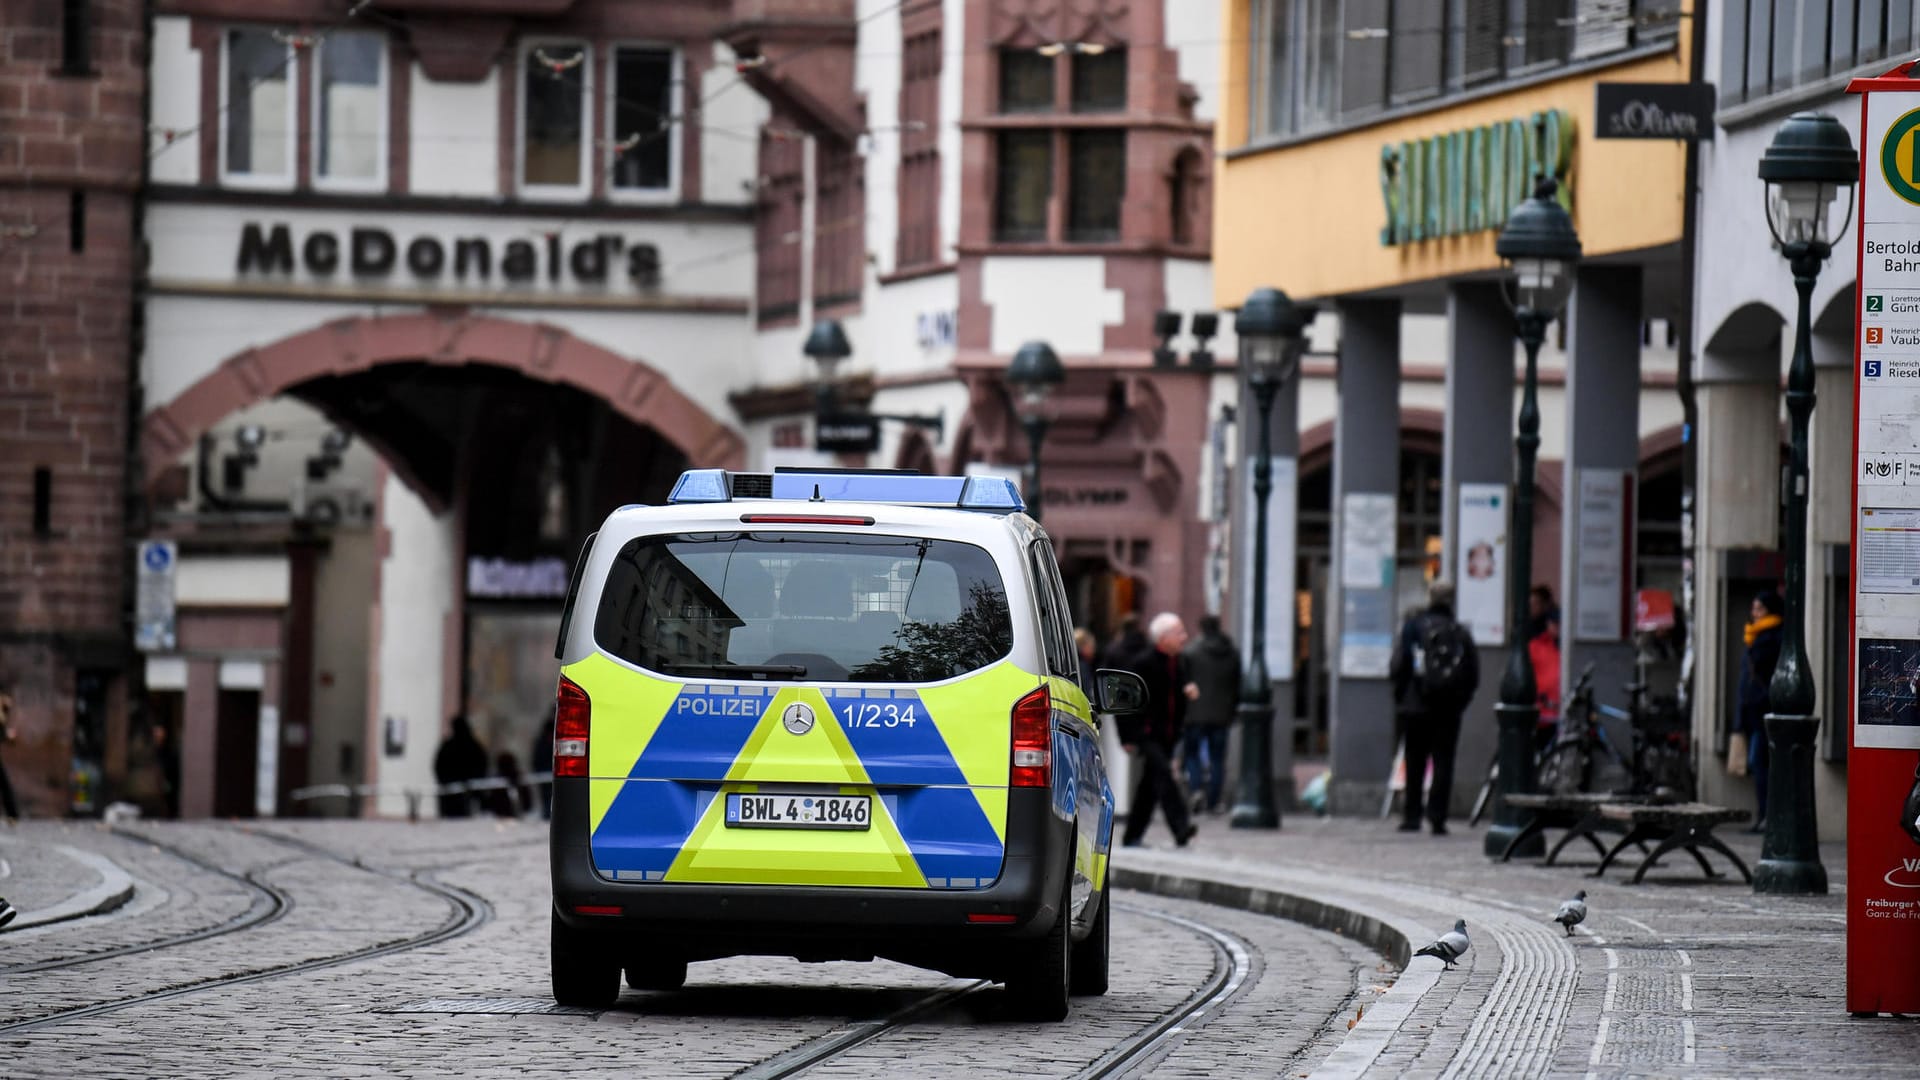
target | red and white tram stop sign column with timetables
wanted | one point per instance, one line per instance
(1883, 848)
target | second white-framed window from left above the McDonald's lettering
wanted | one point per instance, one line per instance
(350, 103)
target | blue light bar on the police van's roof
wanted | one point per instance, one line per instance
(963, 493)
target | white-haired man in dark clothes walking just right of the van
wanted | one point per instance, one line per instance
(1153, 733)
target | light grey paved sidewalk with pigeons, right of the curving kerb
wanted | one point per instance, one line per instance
(1675, 977)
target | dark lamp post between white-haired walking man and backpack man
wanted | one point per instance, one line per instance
(1272, 335)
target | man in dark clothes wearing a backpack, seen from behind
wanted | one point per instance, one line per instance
(1435, 674)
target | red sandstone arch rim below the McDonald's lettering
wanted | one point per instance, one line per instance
(347, 347)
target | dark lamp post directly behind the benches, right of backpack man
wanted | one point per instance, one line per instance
(1541, 251)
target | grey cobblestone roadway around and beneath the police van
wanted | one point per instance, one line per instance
(274, 898)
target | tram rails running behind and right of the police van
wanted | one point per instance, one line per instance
(1232, 968)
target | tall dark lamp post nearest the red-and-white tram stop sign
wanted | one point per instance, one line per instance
(1808, 164)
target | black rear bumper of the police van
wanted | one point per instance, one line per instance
(706, 921)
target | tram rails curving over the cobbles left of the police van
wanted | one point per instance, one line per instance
(468, 914)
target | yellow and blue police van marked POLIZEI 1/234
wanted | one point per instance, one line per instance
(830, 716)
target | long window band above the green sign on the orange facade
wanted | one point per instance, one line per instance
(1324, 64)
